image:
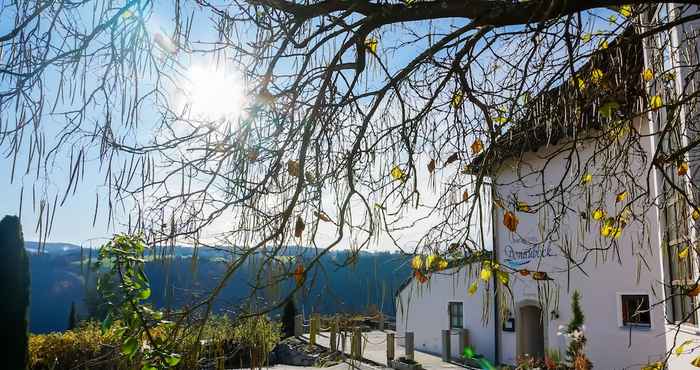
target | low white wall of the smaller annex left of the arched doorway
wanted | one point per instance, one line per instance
(423, 309)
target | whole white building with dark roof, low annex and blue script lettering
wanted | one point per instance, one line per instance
(620, 279)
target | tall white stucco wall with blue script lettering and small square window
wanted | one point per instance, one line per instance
(628, 265)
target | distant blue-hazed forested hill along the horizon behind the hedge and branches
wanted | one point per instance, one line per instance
(61, 275)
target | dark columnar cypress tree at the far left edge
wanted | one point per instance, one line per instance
(14, 283)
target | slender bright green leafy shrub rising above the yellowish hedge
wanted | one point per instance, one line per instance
(140, 327)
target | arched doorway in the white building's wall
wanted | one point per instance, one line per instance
(530, 331)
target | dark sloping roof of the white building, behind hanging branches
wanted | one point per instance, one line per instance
(557, 113)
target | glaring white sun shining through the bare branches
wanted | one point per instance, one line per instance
(213, 93)
